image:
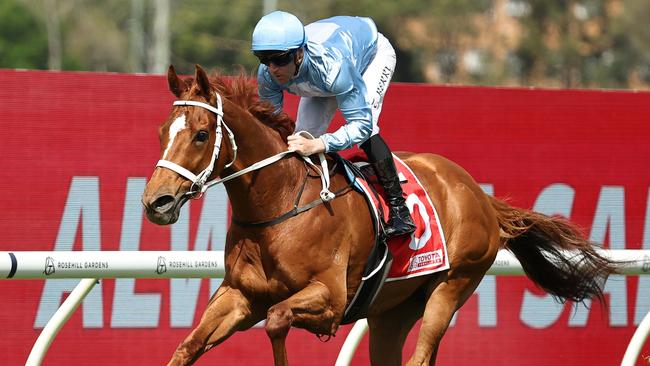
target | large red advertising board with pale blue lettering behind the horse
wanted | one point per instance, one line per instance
(76, 149)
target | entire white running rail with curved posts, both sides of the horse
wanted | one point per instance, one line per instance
(93, 265)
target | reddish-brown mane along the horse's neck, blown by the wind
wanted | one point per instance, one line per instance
(242, 90)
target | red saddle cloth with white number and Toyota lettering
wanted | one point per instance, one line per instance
(425, 251)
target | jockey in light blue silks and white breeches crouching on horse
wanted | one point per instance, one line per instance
(336, 63)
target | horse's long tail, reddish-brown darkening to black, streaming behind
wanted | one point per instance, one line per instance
(554, 253)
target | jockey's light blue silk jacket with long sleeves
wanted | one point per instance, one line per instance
(337, 53)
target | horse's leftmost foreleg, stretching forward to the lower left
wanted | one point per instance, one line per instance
(227, 312)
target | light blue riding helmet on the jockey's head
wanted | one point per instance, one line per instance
(279, 31)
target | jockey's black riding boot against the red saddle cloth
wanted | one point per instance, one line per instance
(399, 221)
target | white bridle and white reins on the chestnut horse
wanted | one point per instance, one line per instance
(200, 180)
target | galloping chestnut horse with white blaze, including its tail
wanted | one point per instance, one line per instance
(303, 271)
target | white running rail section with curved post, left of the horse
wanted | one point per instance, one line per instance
(93, 265)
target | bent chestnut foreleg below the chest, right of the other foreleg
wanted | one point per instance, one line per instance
(310, 308)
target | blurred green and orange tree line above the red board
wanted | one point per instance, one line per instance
(548, 43)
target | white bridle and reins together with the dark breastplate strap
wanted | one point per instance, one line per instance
(201, 184)
